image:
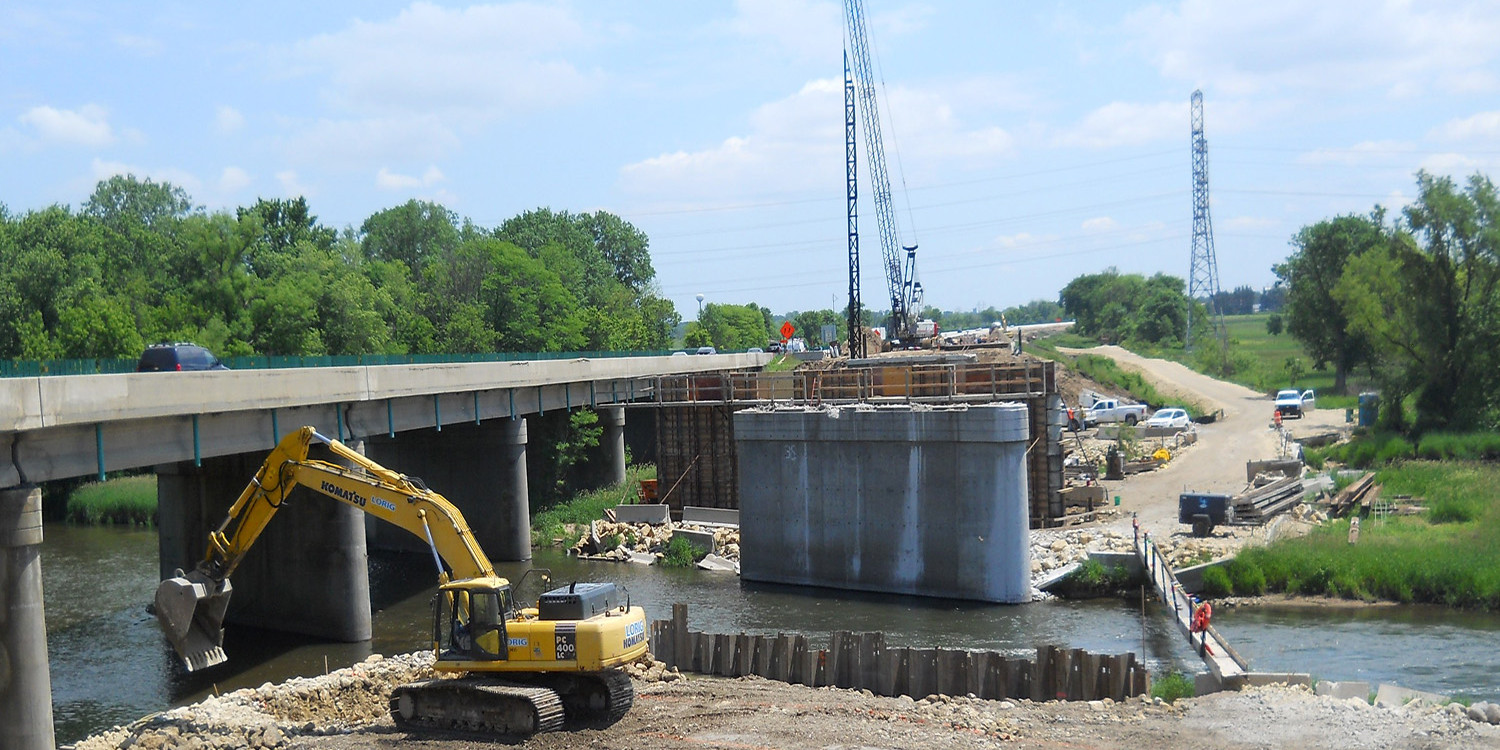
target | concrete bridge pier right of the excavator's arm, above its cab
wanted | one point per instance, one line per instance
(481, 469)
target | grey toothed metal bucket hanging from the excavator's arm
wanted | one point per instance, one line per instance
(191, 611)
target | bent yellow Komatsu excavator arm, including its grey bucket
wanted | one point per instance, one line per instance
(191, 607)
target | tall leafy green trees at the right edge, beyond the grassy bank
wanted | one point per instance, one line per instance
(1411, 299)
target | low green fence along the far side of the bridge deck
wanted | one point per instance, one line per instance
(107, 367)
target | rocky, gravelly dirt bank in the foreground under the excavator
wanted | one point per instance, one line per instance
(347, 710)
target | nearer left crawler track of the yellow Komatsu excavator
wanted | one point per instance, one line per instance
(476, 707)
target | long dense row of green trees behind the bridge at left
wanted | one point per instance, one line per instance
(140, 265)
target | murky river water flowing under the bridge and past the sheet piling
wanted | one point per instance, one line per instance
(110, 665)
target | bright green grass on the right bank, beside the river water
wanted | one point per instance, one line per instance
(1450, 556)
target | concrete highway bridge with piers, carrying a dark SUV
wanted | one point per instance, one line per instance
(461, 427)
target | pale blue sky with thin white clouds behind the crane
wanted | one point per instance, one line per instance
(1028, 143)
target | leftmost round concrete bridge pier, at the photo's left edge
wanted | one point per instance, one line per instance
(26, 688)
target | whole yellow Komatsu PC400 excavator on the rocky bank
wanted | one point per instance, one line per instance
(511, 671)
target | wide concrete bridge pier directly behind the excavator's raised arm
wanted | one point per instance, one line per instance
(308, 574)
